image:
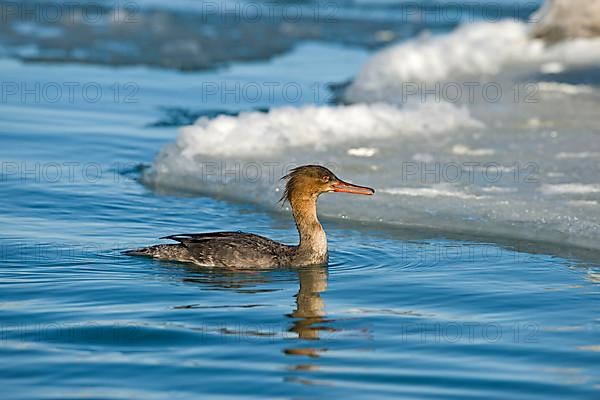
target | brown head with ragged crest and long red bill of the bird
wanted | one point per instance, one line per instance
(309, 181)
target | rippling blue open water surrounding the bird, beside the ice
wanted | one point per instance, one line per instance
(397, 313)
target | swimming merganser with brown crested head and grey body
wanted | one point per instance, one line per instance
(247, 250)
